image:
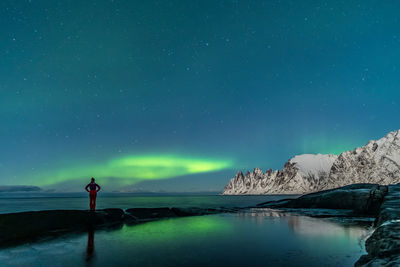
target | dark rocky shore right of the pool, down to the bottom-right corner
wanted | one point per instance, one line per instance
(364, 200)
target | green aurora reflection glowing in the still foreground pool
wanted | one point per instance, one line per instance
(171, 229)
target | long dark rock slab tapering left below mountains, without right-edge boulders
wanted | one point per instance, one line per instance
(361, 199)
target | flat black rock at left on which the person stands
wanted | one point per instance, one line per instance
(17, 228)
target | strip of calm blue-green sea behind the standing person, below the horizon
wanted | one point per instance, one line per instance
(18, 203)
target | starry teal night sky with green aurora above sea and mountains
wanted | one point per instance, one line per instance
(179, 95)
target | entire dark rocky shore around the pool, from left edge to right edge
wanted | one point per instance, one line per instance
(380, 203)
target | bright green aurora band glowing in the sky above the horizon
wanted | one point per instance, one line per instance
(135, 168)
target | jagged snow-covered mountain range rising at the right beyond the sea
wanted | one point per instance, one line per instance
(376, 162)
